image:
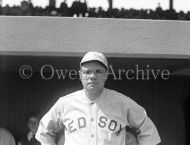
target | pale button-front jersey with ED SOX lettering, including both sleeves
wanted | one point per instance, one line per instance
(98, 122)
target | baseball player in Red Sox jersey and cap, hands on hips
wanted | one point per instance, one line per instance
(96, 115)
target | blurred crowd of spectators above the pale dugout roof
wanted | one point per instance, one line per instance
(81, 9)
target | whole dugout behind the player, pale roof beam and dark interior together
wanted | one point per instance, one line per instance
(149, 62)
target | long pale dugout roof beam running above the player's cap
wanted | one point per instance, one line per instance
(58, 36)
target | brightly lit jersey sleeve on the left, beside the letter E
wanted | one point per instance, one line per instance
(49, 125)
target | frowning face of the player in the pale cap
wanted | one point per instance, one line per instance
(93, 76)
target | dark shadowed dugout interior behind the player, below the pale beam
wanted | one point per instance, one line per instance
(166, 101)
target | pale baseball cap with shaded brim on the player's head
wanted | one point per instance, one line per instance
(94, 56)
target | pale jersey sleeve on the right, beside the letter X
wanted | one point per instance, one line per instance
(138, 119)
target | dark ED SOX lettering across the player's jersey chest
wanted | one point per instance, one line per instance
(103, 122)
